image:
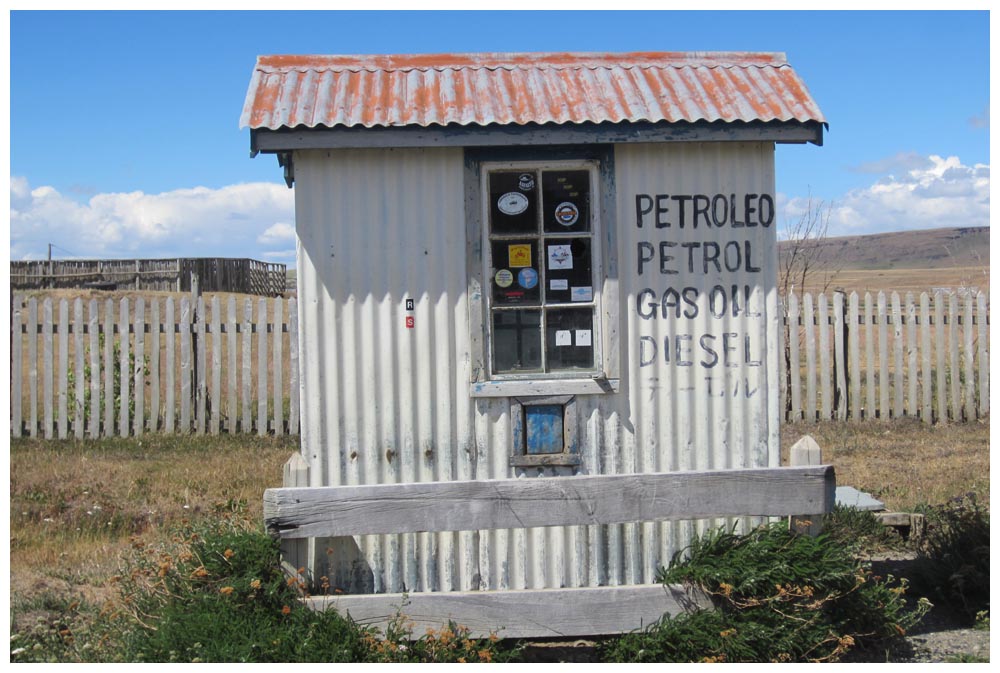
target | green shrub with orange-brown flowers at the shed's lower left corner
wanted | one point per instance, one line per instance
(218, 594)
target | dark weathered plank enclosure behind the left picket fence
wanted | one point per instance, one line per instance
(215, 274)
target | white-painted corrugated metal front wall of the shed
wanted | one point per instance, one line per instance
(383, 403)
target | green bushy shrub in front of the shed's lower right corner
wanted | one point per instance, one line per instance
(778, 597)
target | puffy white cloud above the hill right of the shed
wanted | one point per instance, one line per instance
(925, 194)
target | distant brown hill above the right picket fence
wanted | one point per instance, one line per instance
(918, 249)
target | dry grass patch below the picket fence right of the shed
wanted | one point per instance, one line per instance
(903, 463)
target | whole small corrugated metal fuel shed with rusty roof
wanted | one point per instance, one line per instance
(523, 266)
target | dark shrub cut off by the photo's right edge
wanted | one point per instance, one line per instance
(953, 562)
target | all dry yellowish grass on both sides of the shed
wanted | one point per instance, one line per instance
(78, 507)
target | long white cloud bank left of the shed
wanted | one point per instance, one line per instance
(233, 221)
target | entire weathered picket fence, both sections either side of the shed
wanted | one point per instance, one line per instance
(163, 367)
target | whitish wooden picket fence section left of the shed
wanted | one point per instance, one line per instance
(161, 370)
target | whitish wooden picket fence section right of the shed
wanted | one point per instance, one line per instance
(926, 359)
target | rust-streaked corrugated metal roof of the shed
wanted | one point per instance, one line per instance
(483, 89)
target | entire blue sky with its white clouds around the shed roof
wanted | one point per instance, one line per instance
(124, 137)
